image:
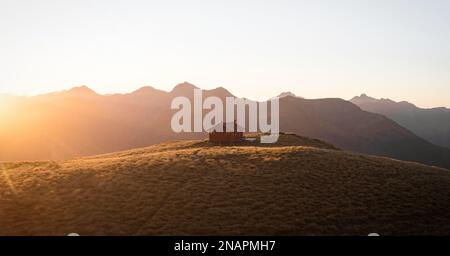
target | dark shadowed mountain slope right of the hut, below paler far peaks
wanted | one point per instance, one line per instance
(347, 126)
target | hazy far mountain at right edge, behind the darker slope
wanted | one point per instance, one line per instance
(431, 124)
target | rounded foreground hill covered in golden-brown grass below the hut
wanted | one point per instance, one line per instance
(193, 188)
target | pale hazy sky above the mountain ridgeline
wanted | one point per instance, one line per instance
(398, 49)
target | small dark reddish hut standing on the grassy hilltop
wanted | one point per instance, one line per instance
(222, 136)
